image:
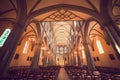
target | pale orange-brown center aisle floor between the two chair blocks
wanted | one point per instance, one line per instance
(63, 75)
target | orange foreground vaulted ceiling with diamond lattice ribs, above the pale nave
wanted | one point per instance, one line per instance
(78, 8)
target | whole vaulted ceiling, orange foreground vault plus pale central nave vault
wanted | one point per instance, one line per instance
(60, 13)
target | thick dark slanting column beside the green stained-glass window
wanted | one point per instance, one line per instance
(8, 50)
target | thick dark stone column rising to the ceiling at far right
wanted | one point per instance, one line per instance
(109, 25)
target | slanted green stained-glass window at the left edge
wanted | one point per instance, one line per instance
(4, 36)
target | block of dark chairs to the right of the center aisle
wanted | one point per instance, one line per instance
(82, 73)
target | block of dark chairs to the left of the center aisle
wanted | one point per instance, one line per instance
(28, 73)
